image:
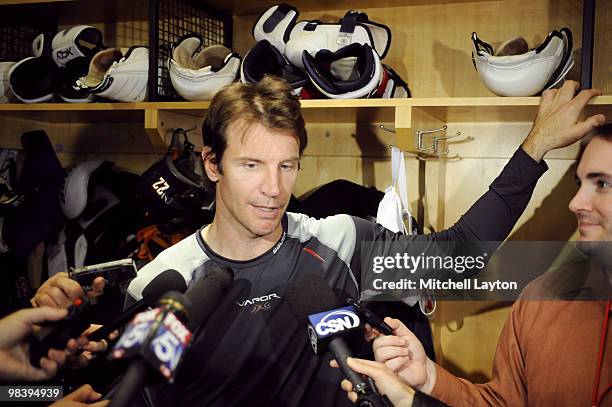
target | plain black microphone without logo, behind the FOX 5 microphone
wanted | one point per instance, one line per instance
(168, 280)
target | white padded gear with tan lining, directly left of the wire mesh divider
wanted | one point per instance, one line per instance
(118, 74)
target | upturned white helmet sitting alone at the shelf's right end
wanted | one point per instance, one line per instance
(528, 73)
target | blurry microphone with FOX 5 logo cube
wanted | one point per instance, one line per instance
(159, 337)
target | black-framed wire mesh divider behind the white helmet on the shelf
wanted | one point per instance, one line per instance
(172, 19)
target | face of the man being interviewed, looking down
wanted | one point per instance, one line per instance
(260, 167)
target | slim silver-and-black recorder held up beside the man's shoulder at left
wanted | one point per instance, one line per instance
(114, 272)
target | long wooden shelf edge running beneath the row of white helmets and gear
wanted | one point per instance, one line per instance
(477, 109)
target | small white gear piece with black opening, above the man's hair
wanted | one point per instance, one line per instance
(275, 25)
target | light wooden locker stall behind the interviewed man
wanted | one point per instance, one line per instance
(431, 51)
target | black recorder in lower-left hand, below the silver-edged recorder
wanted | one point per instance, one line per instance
(55, 334)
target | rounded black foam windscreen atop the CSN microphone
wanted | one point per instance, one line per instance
(309, 294)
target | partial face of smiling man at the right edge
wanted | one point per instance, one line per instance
(593, 201)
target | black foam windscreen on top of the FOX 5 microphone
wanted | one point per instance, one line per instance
(206, 294)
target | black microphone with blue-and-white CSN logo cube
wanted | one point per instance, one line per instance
(326, 328)
